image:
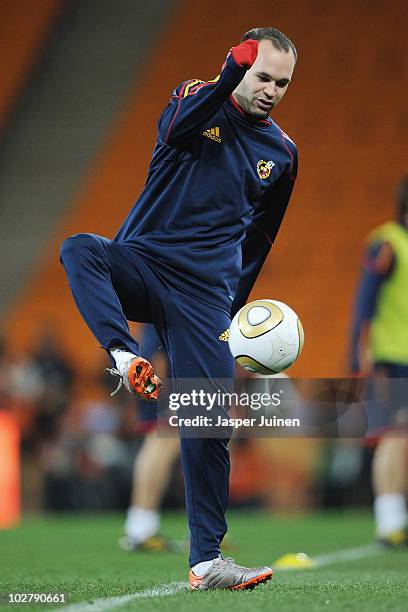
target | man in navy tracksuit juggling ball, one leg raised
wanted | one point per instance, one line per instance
(188, 254)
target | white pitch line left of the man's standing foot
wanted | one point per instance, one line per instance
(109, 603)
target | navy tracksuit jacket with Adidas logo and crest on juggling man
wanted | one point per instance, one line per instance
(217, 189)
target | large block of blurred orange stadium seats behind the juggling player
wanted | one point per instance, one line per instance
(346, 111)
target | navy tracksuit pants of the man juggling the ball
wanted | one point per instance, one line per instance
(112, 283)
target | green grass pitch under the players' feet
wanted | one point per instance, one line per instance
(78, 555)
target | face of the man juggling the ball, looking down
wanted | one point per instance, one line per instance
(266, 82)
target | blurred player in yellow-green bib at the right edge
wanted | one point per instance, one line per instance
(380, 350)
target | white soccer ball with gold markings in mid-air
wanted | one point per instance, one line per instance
(266, 337)
